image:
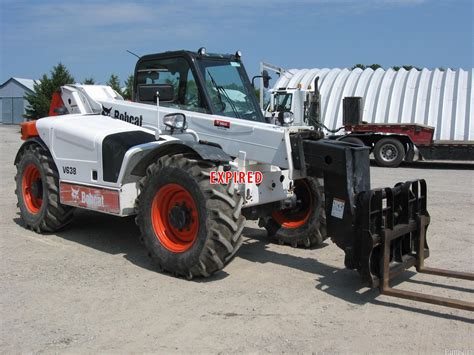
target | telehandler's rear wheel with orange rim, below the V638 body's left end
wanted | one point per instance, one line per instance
(37, 190)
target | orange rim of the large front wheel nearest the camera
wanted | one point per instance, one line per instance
(174, 217)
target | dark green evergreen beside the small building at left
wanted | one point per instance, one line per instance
(40, 100)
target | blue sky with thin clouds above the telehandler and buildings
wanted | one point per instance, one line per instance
(91, 37)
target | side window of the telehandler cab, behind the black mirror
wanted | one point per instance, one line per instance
(175, 73)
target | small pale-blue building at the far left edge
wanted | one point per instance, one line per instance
(12, 102)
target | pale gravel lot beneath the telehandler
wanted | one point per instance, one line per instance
(91, 288)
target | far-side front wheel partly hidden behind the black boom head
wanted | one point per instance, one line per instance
(305, 224)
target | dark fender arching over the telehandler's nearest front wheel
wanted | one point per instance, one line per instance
(140, 161)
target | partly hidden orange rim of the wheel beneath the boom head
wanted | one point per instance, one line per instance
(298, 216)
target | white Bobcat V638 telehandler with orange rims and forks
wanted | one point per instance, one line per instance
(193, 157)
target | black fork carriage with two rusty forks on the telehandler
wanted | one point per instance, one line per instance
(391, 234)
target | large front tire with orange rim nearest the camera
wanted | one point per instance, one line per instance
(189, 226)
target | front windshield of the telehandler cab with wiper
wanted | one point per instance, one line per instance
(229, 89)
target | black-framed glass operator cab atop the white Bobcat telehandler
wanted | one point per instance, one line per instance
(200, 82)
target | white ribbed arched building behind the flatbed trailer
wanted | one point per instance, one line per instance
(442, 99)
